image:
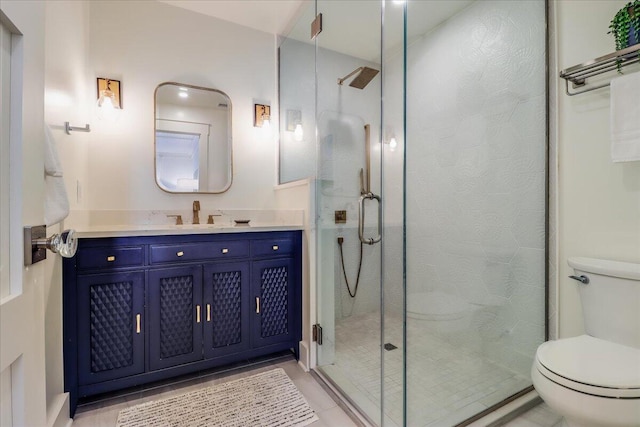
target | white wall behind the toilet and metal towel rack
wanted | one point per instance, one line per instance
(599, 201)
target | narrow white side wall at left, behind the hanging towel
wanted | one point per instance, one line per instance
(65, 92)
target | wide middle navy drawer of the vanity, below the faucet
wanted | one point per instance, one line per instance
(198, 251)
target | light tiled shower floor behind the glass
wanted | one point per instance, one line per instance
(446, 383)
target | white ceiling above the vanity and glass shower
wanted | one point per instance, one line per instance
(351, 27)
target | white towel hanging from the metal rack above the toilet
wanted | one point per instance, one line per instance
(625, 118)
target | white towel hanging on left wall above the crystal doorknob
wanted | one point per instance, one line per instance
(56, 203)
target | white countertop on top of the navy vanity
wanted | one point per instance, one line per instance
(164, 230)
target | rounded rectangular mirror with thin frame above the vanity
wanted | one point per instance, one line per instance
(193, 142)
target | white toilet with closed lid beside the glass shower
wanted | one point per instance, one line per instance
(594, 379)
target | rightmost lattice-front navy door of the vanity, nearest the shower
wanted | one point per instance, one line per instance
(273, 296)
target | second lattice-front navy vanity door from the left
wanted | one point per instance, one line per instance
(175, 316)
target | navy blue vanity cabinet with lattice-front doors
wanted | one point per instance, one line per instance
(144, 309)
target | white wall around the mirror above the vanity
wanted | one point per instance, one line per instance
(144, 43)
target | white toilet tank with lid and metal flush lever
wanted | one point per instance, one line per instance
(611, 299)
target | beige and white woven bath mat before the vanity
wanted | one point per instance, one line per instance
(266, 399)
